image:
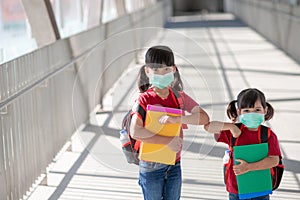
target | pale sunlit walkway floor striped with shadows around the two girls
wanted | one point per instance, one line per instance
(217, 56)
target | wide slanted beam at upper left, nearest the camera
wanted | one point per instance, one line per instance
(41, 18)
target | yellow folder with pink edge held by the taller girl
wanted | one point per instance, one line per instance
(158, 152)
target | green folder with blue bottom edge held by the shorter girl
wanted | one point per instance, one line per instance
(254, 183)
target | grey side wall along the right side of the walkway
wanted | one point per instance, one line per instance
(277, 22)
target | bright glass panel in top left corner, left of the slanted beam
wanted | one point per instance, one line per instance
(15, 31)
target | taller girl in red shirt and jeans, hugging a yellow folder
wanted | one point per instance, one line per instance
(156, 81)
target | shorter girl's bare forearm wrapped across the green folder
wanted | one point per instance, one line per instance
(266, 163)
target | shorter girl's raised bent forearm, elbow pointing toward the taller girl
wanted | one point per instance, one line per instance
(217, 126)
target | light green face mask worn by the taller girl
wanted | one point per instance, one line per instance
(161, 81)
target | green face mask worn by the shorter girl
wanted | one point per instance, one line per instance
(252, 120)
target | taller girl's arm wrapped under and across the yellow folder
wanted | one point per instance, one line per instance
(138, 132)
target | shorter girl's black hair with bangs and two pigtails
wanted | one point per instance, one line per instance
(246, 99)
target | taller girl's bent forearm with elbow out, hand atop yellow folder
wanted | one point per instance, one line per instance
(197, 117)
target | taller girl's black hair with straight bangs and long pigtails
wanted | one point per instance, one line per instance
(156, 57)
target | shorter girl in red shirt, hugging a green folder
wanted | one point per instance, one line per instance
(251, 109)
